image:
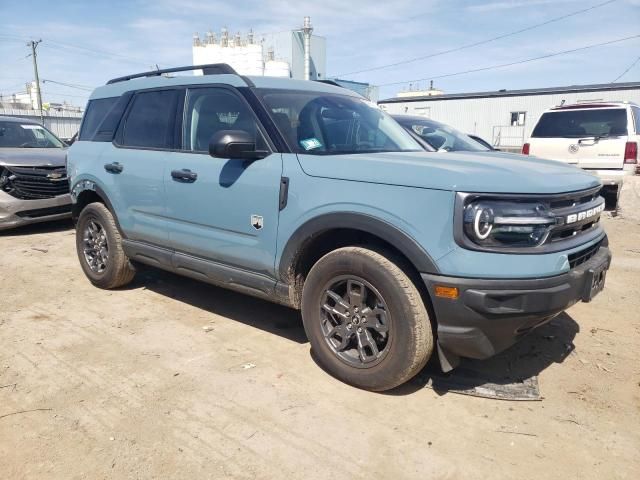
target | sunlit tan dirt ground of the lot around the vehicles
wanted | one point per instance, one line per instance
(171, 378)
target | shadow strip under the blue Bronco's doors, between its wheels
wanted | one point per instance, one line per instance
(254, 312)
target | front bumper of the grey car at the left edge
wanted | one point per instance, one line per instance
(15, 212)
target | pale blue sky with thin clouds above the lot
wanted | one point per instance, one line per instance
(86, 43)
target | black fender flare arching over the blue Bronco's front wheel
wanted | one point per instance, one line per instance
(407, 245)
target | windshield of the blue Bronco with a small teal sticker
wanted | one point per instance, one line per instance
(319, 123)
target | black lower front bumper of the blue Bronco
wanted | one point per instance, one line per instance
(491, 315)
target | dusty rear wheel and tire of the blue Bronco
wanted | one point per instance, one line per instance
(114, 269)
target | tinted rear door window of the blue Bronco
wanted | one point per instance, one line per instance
(151, 119)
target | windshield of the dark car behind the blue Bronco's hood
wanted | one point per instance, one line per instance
(442, 137)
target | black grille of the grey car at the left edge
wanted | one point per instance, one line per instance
(30, 183)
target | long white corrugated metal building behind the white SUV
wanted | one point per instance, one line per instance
(505, 118)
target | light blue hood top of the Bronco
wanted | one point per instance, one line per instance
(487, 172)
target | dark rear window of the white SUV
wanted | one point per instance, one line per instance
(601, 122)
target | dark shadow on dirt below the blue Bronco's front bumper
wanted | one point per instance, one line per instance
(548, 344)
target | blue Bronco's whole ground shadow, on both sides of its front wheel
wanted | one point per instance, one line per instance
(550, 343)
